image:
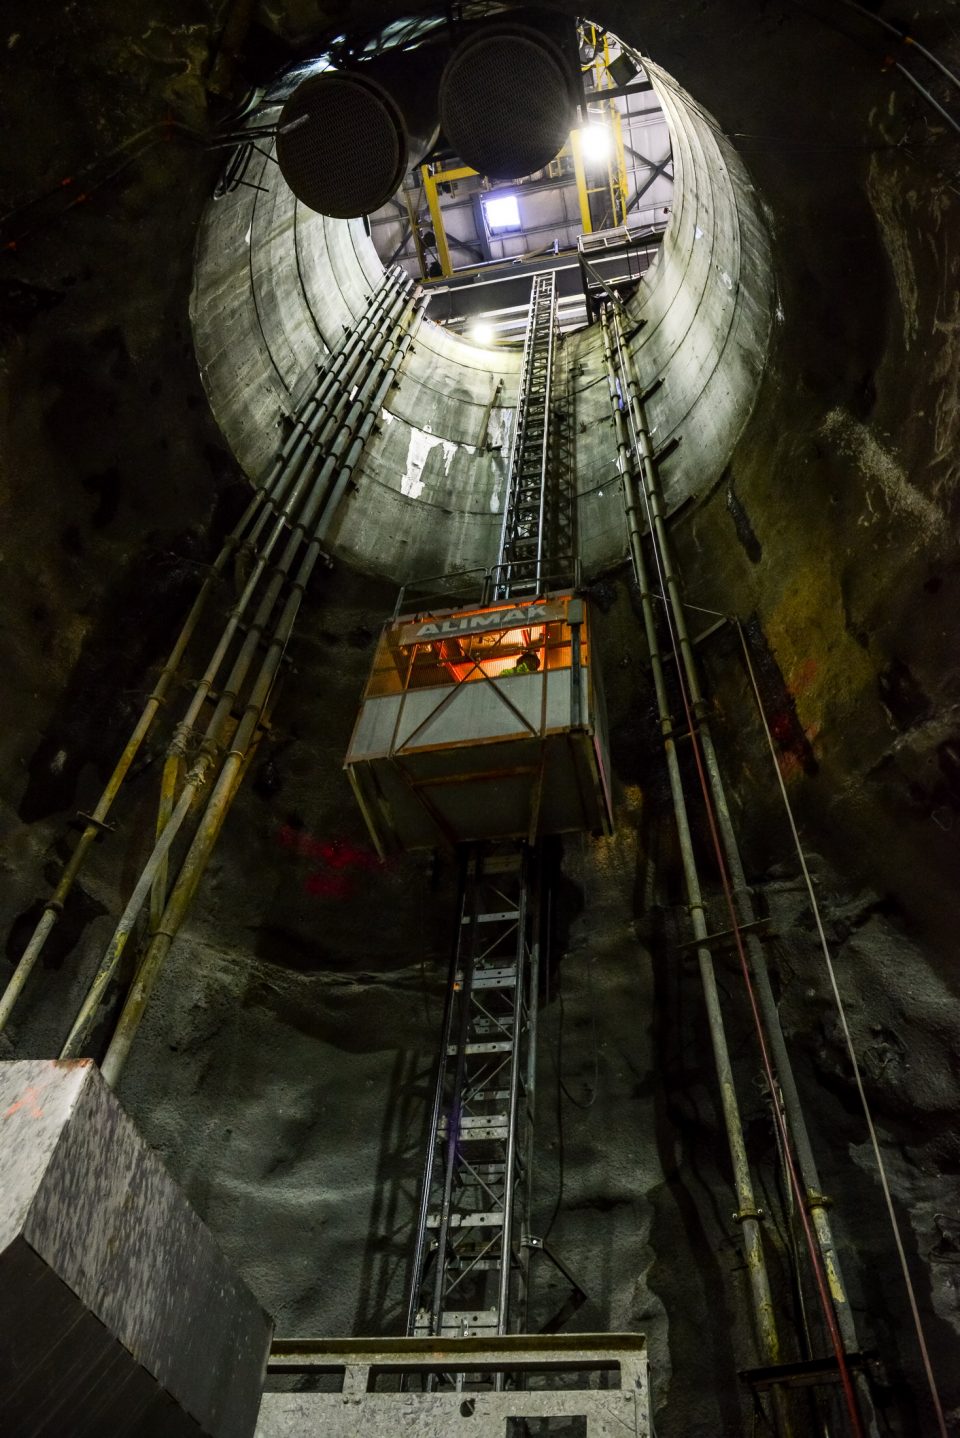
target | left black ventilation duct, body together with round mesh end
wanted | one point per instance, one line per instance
(347, 139)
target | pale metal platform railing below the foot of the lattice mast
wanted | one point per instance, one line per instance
(580, 1386)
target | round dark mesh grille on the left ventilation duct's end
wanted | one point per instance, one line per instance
(341, 146)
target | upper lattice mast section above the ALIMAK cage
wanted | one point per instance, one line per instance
(522, 551)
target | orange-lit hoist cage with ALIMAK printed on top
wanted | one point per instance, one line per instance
(484, 724)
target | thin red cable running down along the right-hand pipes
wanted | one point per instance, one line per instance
(830, 1316)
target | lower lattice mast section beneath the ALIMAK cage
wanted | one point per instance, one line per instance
(469, 1263)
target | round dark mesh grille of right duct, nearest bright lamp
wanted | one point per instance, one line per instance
(505, 103)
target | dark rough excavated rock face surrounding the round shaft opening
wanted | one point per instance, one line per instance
(281, 1068)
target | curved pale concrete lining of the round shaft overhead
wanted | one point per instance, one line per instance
(275, 284)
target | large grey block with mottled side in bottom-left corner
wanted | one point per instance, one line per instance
(119, 1314)
